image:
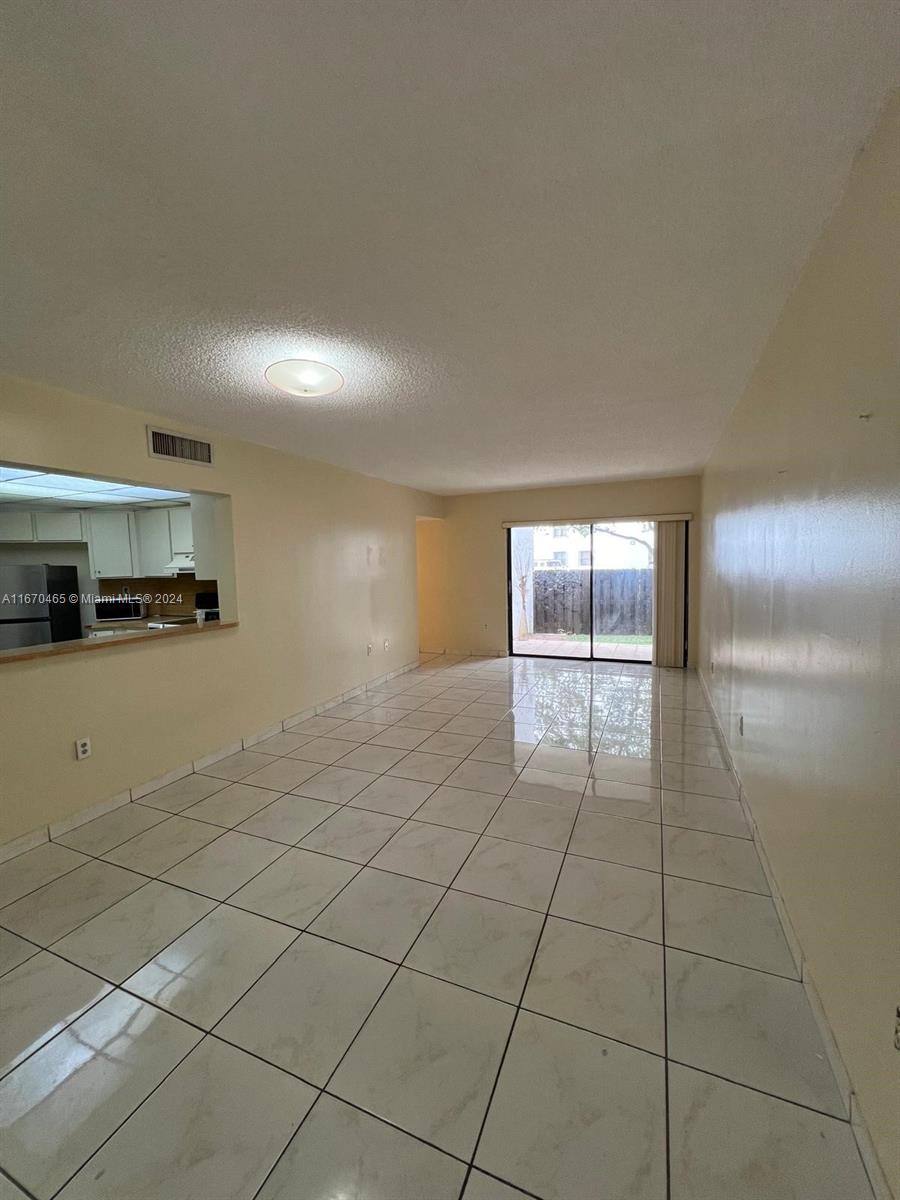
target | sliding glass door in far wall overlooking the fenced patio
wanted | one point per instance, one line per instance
(583, 591)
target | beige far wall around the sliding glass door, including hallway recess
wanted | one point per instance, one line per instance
(466, 610)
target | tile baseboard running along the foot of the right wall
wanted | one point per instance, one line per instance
(866, 1145)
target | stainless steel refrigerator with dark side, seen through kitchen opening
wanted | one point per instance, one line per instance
(39, 604)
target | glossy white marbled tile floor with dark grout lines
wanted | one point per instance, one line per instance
(497, 929)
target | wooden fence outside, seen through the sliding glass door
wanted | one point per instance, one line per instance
(623, 602)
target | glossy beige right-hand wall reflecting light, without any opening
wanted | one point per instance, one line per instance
(801, 614)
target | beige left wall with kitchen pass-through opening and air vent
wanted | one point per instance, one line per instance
(326, 563)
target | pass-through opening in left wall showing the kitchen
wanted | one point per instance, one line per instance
(91, 560)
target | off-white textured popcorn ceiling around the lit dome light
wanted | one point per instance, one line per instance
(544, 241)
